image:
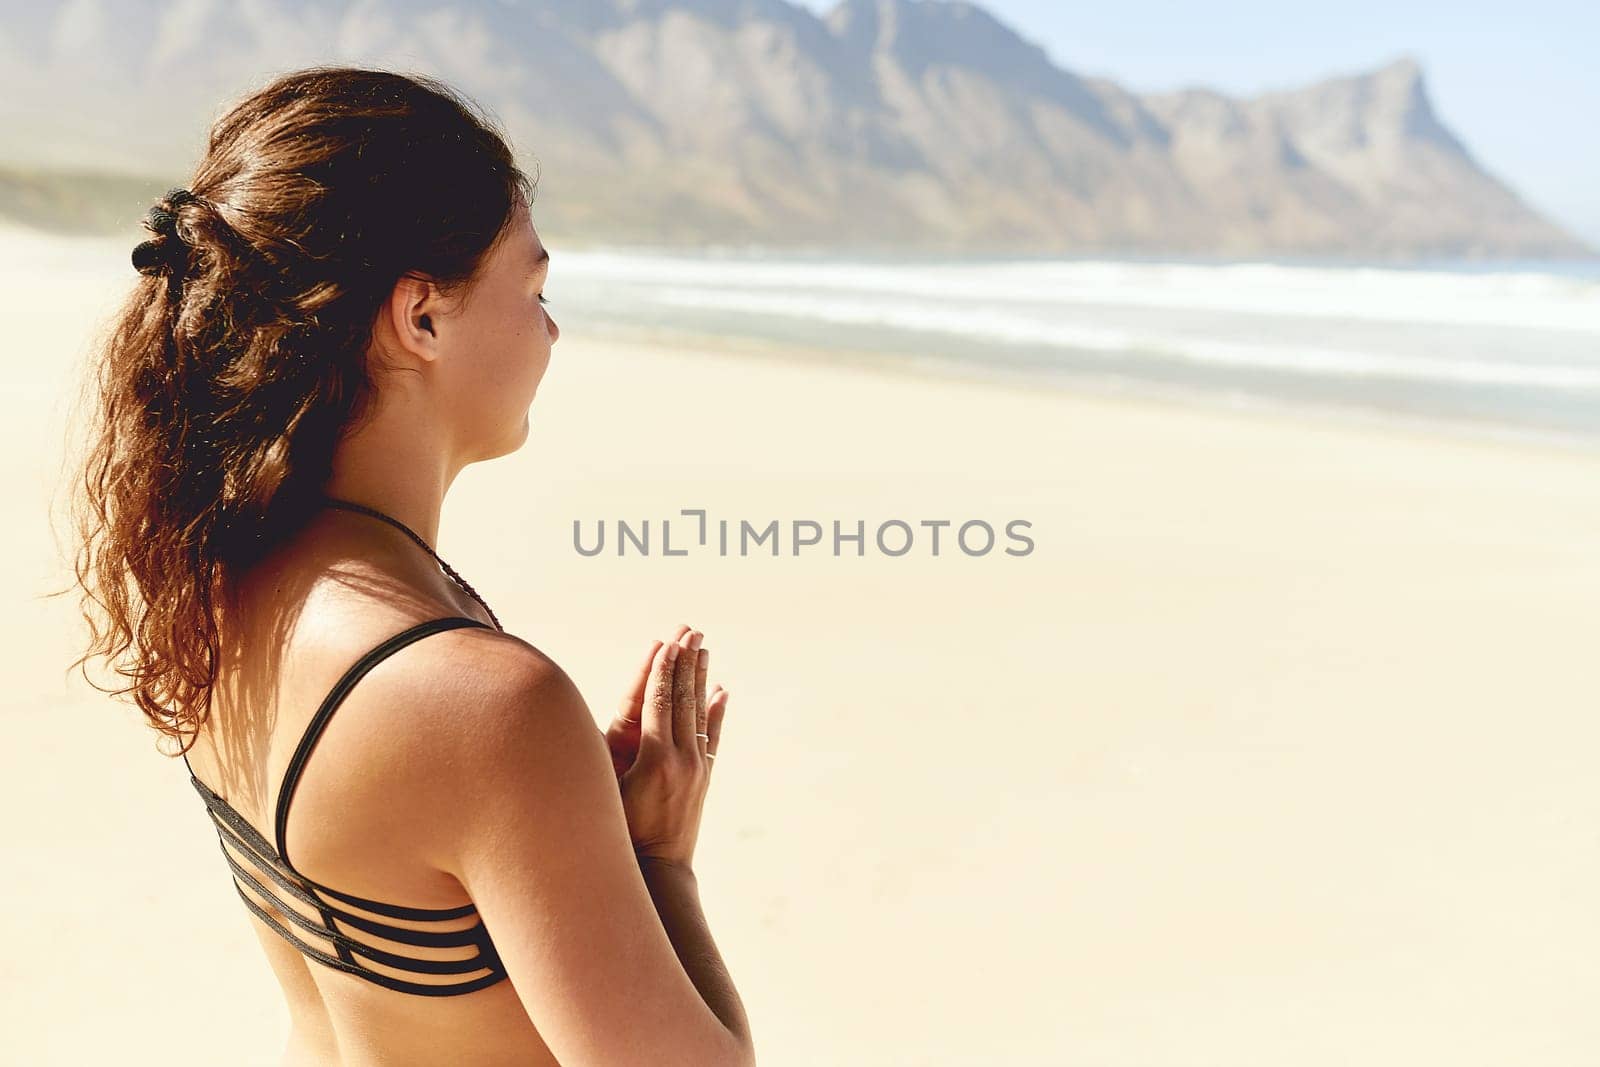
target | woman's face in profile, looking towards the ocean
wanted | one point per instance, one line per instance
(502, 340)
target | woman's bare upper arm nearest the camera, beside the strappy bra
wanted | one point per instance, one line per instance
(538, 837)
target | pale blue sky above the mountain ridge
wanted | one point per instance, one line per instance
(1518, 82)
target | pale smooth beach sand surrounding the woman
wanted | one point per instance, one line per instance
(1279, 749)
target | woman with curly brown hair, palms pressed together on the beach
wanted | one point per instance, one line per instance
(446, 860)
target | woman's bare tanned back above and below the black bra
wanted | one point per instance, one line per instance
(298, 626)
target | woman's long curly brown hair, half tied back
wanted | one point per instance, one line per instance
(230, 375)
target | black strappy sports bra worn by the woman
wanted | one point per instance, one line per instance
(366, 938)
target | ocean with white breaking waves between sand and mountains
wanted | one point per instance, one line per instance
(1484, 350)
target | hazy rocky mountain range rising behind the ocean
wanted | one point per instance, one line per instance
(910, 124)
